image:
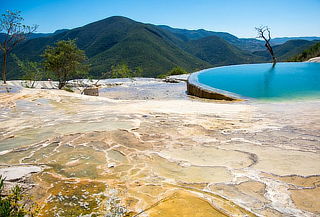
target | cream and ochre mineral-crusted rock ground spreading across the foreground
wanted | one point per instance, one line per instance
(151, 150)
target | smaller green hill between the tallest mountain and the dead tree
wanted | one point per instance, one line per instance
(218, 51)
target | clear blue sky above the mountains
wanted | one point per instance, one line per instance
(238, 17)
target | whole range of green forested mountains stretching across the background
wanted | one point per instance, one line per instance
(153, 49)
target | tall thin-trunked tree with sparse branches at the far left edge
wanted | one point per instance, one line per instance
(14, 33)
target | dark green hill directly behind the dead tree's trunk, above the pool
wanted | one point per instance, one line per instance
(284, 51)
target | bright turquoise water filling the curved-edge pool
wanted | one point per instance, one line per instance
(263, 81)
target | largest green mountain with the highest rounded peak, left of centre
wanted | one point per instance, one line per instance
(115, 40)
